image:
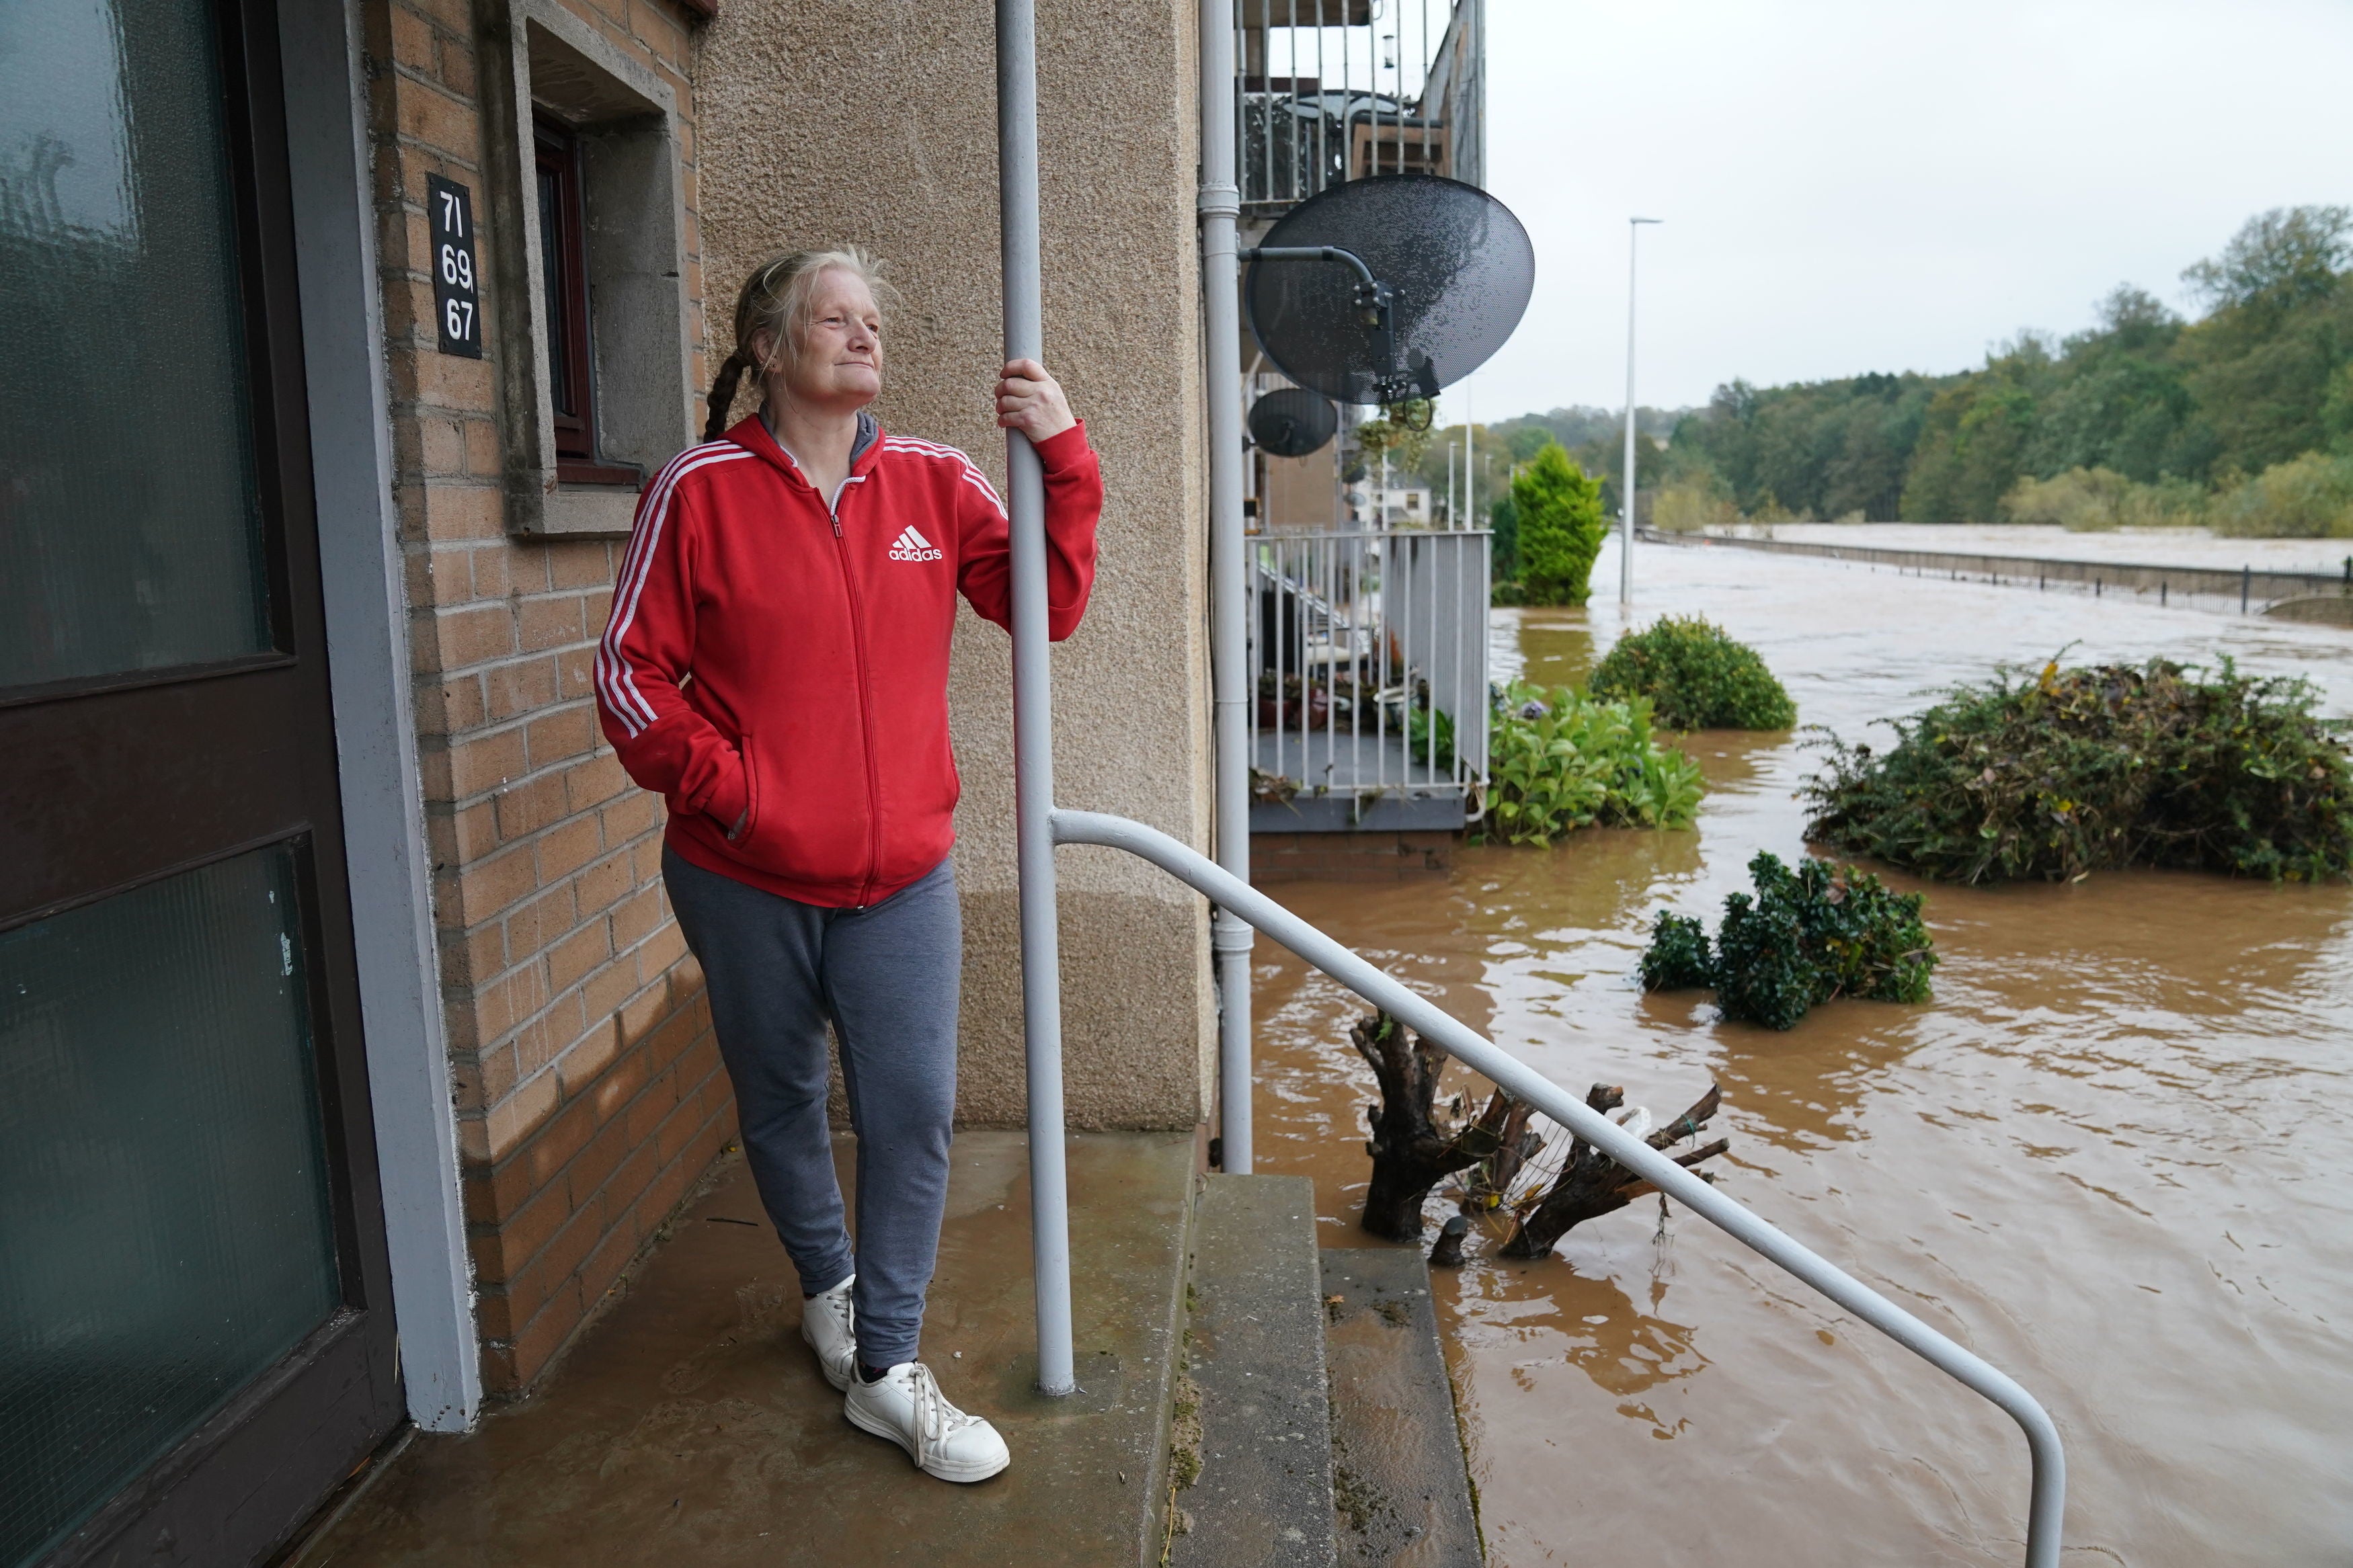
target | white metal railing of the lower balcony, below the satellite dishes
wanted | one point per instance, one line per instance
(1368, 666)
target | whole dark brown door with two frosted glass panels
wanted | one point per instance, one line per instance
(196, 1332)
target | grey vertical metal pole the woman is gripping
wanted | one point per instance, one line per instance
(1034, 706)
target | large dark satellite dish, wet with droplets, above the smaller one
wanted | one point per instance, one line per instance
(1389, 288)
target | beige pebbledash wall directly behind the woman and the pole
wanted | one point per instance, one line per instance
(876, 123)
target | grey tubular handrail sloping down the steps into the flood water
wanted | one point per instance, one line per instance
(1232, 897)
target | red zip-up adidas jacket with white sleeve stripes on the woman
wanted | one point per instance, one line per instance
(775, 657)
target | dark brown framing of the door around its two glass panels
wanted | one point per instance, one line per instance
(116, 784)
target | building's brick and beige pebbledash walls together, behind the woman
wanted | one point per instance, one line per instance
(587, 1087)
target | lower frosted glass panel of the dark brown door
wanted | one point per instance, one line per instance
(164, 1186)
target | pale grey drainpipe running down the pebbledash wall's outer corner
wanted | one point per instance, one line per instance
(1229, 584)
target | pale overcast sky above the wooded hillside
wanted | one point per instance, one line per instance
(1881, 185)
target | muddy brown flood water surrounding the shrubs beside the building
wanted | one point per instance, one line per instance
(2112, 1155)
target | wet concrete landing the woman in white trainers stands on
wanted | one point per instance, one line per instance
(691, 1426)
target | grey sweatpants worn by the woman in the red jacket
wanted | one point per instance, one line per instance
(888, 979)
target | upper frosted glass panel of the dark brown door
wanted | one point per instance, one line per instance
(131, 530)
